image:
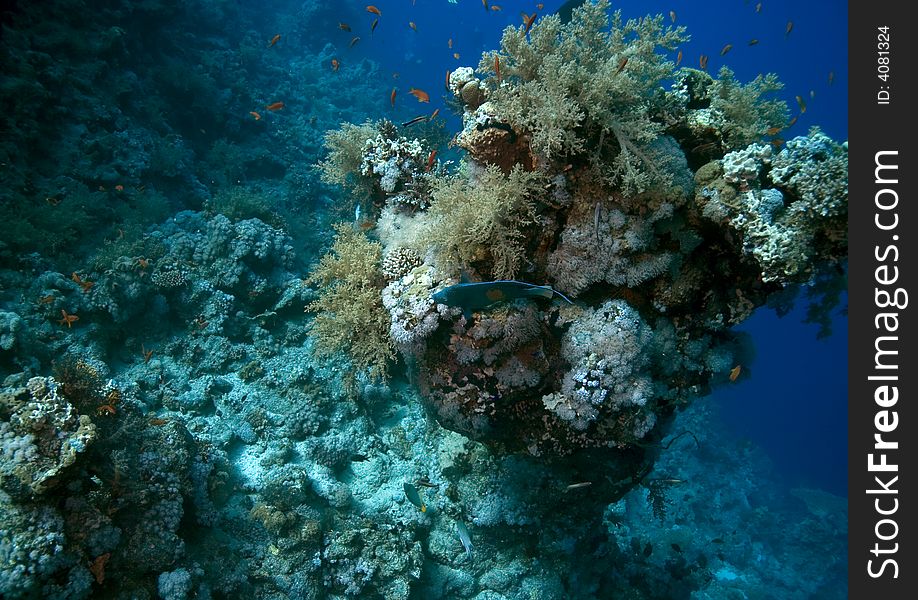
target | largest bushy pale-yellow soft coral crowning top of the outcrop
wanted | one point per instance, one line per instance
(586, 85)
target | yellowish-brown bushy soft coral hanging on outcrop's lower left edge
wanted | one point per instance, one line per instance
(351, 317)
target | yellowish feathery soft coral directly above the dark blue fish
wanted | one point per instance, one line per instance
(483, 219)
